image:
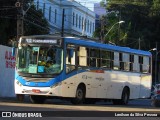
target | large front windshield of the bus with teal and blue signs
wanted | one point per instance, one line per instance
(39, 59)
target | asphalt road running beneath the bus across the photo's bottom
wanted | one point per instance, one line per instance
(64, 109)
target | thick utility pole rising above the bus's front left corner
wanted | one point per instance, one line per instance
(19, 5)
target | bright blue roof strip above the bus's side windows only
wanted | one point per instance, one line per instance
(90, 43)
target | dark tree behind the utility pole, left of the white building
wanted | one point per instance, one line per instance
(34, 21)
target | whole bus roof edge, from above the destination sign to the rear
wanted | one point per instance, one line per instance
(91, 43)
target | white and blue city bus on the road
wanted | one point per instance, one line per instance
(80, 70)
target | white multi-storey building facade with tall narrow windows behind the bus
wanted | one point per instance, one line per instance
(78, 20)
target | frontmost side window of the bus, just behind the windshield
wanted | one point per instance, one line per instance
(70, 59)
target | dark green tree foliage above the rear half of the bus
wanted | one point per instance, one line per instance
(142, 23)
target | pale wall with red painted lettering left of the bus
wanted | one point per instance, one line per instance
(7, 65)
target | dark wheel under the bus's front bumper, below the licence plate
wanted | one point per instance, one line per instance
(37, 99)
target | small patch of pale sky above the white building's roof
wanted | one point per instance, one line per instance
(88, 3)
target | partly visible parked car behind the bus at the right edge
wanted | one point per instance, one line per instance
(155, 98)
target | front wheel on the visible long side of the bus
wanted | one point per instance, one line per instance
(80, 95)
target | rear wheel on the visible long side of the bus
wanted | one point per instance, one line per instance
(125, 96)
